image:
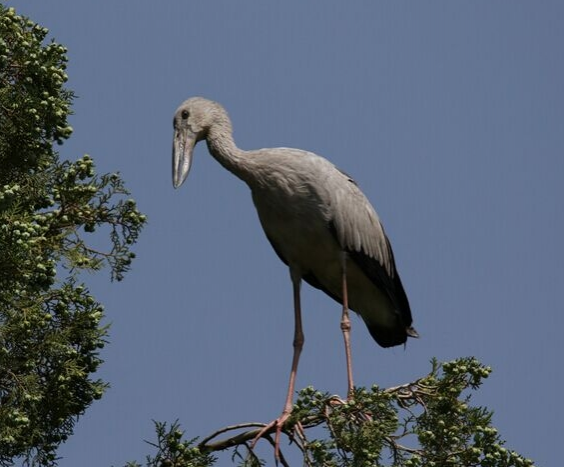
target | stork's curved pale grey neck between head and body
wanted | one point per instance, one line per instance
(223, 148)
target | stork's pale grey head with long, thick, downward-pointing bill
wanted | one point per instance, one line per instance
(192, 122)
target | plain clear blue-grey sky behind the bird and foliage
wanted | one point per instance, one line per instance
(450, 116)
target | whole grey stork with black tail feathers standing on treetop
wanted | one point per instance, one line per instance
(317, 220)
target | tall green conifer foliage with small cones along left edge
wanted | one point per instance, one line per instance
(50, 325)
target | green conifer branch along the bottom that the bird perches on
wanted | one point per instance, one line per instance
(429, 422)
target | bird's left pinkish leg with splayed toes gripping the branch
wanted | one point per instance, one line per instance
(298, 345)
